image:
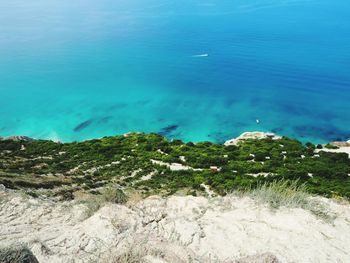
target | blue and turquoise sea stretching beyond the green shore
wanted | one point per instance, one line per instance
(74, 70)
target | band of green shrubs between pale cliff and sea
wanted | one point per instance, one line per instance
(141, 162)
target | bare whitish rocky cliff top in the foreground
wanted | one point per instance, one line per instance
(176, 229)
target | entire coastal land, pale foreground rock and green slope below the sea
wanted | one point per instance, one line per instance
(142, 198)
